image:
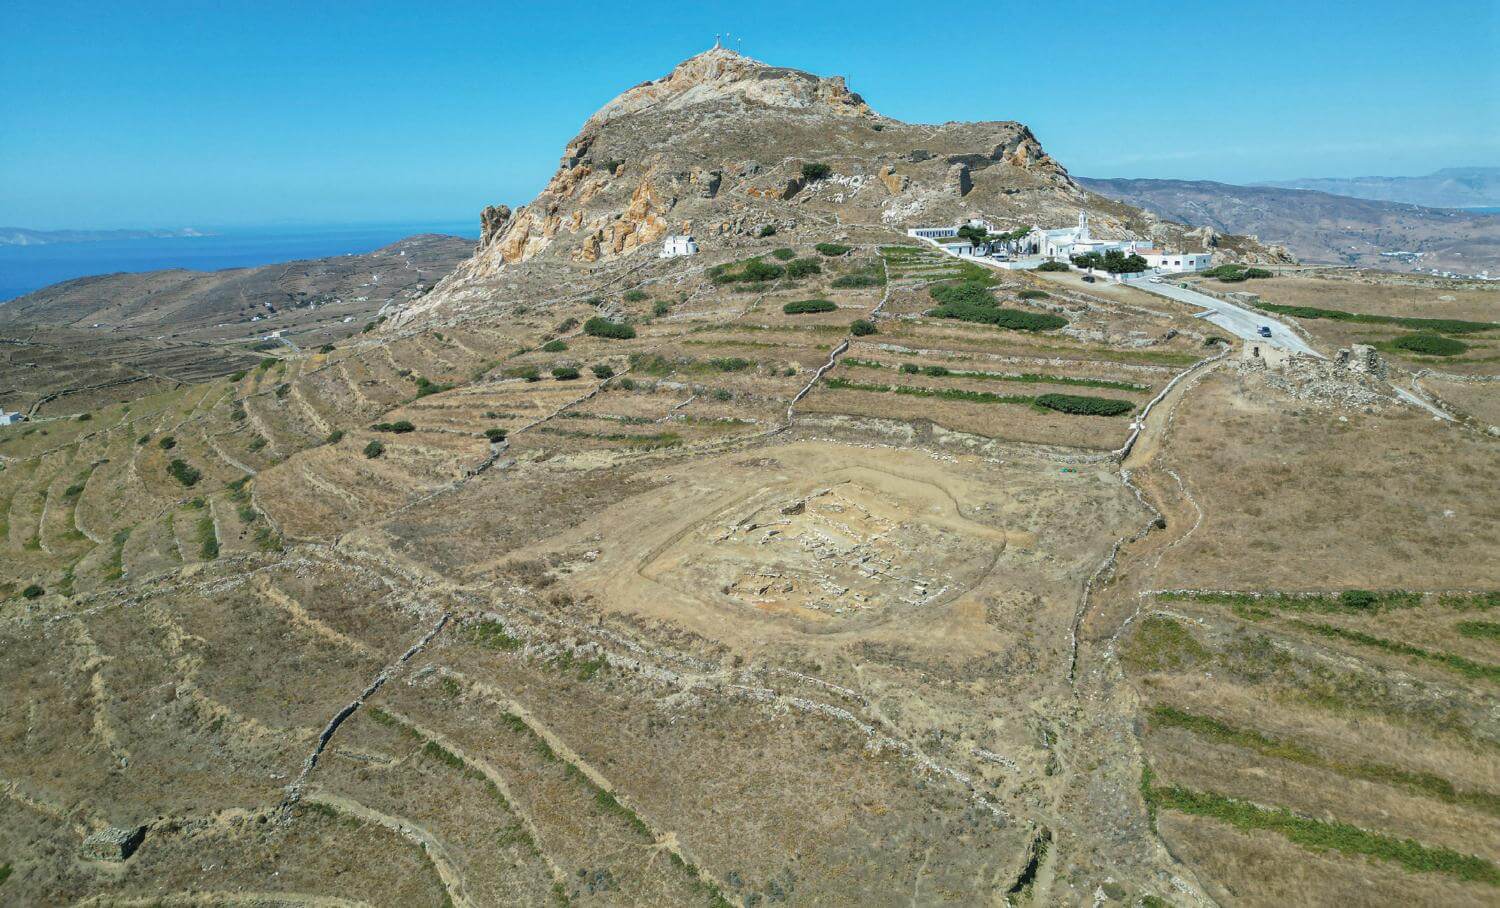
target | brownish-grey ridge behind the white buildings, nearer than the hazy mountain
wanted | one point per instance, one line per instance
(1319, 227)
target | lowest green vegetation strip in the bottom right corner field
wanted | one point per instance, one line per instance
(1319, 835)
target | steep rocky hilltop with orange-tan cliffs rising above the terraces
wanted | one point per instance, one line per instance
(718, 148)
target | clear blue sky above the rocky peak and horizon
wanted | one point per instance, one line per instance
(166, 115)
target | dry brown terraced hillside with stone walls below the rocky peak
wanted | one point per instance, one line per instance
(817, 568)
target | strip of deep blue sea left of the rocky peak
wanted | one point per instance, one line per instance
(25, 269)
